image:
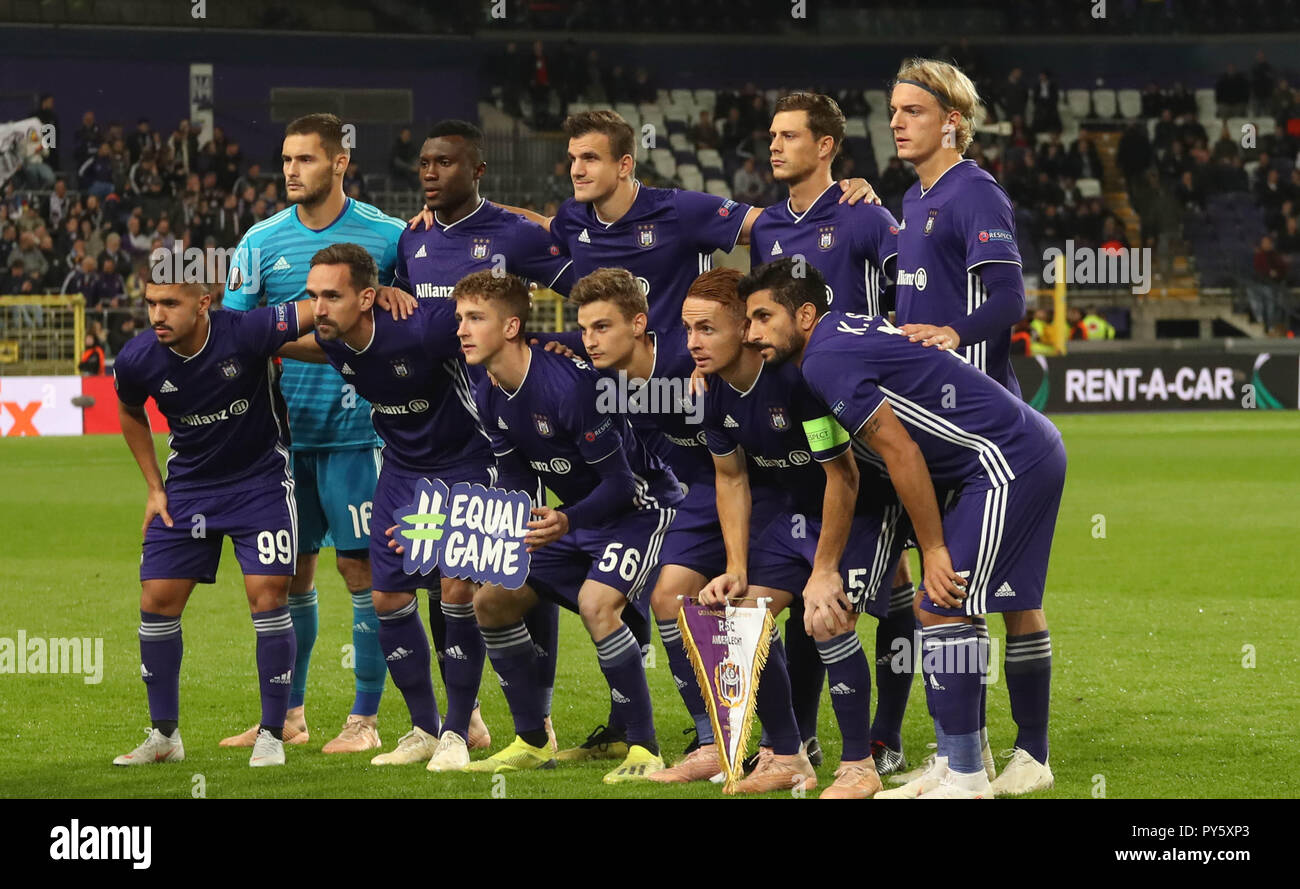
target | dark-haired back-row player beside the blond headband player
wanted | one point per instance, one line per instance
(855, 249)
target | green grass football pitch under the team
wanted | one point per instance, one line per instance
(1177, 648)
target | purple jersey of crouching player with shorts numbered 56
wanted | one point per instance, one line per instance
(556, 424)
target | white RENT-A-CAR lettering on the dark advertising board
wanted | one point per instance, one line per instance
(1186, 384)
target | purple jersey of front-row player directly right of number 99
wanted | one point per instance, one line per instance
(417, 381)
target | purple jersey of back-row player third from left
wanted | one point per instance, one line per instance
(666, 241)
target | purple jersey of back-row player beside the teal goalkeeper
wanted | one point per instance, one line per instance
(431, 263)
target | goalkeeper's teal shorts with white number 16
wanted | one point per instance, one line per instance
(335, 491)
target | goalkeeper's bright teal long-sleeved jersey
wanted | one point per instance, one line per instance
(271, 264)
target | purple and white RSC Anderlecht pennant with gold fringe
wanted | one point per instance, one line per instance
(729, 648)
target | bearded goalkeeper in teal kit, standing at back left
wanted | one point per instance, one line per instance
(336, 453)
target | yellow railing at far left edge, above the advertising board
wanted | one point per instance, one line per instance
(41, 335)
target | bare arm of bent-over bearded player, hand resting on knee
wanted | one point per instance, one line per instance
(885, 435)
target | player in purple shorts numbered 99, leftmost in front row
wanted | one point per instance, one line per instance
(228, 475)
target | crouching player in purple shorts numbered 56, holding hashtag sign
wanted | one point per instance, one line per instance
(599, 552)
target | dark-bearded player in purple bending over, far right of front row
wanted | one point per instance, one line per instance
(938, 423)
